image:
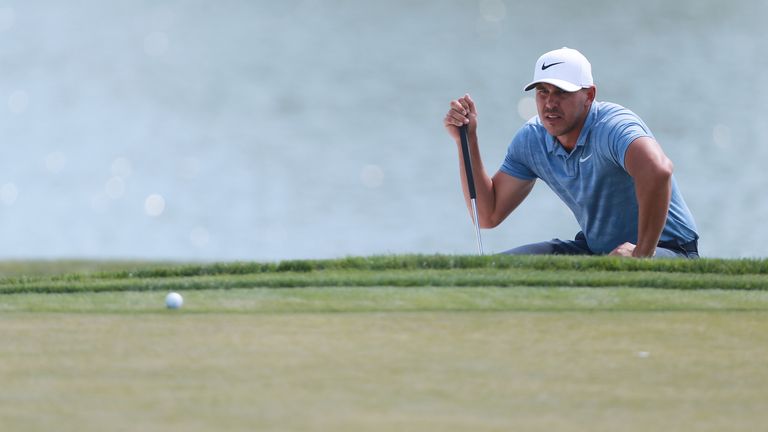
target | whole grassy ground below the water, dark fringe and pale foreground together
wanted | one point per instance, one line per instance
(407, 343)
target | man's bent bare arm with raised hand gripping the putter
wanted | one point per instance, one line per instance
(497, 197)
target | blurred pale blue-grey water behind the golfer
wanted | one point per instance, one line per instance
(269, 130)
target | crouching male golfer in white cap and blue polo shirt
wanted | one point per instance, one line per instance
(598, 157)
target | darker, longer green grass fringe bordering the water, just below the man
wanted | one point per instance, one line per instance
(412, 271)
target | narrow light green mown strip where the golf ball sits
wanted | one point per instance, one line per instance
(391, 299)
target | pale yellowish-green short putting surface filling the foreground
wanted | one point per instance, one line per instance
(384, 371)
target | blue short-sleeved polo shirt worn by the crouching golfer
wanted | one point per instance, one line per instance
(592, 180)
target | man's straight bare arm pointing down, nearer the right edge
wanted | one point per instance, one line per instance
(652, 170)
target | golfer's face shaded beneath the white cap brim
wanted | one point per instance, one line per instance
(562, 112)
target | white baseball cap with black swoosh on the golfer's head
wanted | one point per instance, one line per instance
(565, 68)
